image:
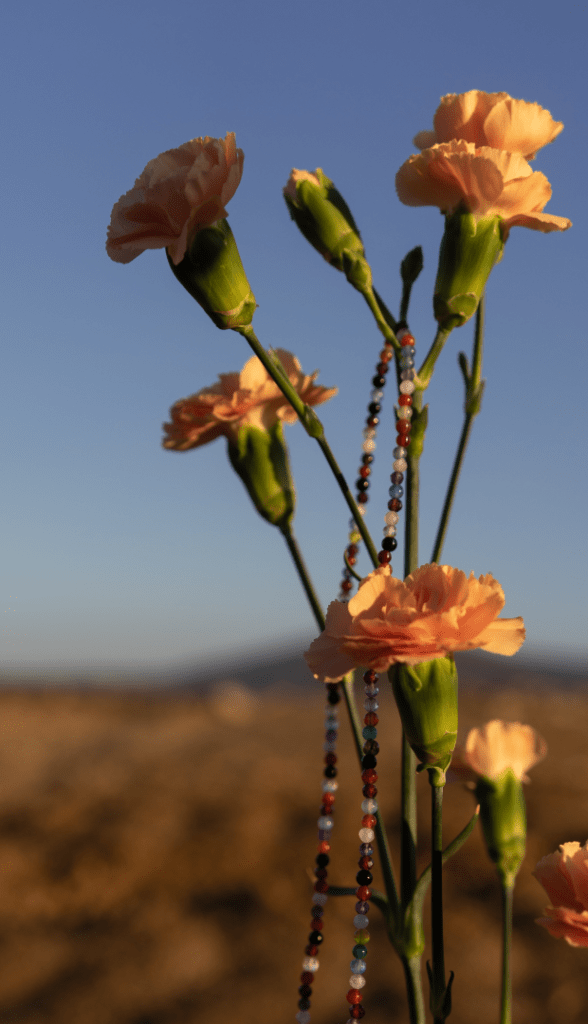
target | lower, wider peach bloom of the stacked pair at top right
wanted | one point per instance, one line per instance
(487, 183)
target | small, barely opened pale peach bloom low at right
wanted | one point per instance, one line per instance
(496, 748)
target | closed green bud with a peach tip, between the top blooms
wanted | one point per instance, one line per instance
(326, 222)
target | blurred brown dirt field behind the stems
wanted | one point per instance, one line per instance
(156, 855)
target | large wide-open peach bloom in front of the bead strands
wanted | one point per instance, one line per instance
(434, 613)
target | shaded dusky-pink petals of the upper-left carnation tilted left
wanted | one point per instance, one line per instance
(181, 191)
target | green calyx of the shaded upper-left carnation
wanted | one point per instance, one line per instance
(214, 274)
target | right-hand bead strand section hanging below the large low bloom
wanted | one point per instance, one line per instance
(367, 836)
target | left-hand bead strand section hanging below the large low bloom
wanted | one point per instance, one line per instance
(325, 823)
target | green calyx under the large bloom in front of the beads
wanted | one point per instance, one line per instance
(427, 699)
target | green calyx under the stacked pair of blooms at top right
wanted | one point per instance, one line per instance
(470, 249)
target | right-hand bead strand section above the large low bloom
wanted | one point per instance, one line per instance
(407, 388)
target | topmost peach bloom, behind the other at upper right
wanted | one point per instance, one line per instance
(493, 119)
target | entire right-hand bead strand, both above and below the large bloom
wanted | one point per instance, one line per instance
(371, 747)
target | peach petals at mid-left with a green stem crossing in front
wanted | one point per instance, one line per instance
(249, 398)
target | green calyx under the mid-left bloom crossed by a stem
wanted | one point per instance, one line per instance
(261, 458)
